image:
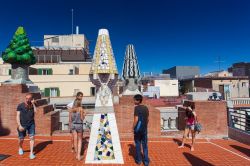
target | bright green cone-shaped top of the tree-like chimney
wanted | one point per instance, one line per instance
(19, 50)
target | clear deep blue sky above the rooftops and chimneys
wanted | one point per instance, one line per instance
(165, 33)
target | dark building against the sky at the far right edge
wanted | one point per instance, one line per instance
(240, 69)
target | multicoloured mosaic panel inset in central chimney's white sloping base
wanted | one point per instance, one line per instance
(104, 147)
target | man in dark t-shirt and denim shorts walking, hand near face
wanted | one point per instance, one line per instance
(26, 123)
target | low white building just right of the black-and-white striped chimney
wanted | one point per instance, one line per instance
(159, 85)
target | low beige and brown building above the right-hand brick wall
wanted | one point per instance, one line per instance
(229, 87)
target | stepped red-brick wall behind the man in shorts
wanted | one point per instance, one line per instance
(46, 119)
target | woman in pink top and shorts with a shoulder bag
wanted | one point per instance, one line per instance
(191, 120)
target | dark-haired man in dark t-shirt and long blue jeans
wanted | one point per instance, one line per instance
(140, 125)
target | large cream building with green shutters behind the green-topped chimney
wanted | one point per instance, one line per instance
(60, 70)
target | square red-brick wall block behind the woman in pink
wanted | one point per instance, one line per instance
(211, 114)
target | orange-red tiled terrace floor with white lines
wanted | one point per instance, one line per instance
(162, 151)
